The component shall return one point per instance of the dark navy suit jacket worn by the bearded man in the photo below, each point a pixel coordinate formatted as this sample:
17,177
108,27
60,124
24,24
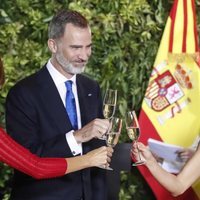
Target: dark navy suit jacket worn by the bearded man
37,119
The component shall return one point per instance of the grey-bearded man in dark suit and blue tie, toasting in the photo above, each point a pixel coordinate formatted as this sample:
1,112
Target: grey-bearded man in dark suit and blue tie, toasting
37,115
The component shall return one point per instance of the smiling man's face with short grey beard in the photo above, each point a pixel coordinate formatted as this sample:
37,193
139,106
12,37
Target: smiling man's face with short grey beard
74,49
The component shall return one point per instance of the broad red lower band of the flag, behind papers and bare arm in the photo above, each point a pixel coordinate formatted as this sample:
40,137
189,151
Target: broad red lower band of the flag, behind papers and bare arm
148,131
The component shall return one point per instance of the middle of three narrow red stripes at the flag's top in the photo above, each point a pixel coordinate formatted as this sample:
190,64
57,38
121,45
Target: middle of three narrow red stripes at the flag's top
185,12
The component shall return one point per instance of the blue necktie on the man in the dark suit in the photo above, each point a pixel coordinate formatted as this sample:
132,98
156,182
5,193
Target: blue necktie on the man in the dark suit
71,105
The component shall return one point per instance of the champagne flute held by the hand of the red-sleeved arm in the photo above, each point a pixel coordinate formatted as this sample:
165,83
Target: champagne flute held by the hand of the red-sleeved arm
112,136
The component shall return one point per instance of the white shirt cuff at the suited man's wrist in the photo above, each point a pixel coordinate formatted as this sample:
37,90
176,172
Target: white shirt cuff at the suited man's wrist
73,145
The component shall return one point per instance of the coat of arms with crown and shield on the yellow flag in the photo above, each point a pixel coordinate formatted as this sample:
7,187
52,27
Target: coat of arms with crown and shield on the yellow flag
167,89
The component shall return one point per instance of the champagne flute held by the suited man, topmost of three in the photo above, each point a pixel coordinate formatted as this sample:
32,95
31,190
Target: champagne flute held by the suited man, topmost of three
109,106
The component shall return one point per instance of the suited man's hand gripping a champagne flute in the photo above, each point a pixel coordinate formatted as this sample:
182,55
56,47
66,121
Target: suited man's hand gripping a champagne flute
95,129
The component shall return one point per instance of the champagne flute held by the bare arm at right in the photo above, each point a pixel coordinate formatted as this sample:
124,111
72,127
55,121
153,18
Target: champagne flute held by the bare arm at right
133,130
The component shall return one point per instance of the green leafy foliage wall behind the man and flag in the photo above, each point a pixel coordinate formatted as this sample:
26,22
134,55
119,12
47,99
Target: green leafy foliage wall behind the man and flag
126,36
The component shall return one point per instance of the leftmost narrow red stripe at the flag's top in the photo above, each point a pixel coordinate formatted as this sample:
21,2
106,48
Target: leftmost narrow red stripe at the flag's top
172,16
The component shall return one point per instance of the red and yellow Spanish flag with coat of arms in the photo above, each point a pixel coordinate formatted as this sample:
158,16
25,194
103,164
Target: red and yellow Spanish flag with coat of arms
171,107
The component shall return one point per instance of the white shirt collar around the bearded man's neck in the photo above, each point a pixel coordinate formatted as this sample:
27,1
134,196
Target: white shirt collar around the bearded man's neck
57,77
